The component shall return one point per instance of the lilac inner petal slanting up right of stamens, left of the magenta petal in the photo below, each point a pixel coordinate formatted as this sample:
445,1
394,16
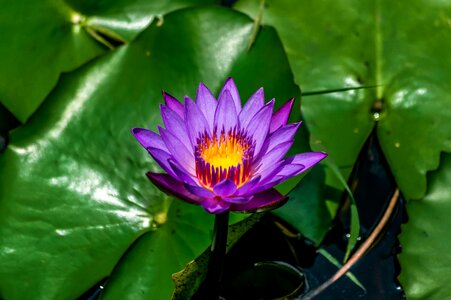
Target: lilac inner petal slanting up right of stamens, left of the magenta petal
259,125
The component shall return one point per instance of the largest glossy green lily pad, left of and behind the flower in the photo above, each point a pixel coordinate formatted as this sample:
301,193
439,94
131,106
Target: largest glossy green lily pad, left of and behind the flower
73,195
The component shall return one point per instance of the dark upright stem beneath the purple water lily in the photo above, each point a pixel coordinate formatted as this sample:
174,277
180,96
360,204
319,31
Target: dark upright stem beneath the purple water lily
217,256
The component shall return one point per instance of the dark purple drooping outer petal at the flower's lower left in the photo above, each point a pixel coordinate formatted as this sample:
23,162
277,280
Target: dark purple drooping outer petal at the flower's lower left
172,186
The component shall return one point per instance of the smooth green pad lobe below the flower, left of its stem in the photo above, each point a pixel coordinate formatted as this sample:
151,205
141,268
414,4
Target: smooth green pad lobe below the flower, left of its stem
145,272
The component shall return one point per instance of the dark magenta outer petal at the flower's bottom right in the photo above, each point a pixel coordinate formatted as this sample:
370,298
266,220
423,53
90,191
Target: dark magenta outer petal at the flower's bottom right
266,200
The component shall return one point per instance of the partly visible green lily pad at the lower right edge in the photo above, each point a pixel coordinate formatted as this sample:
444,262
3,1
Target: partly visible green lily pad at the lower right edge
425,258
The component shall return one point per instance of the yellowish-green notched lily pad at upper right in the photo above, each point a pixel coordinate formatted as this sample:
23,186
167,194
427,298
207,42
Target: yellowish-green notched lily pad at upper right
401,47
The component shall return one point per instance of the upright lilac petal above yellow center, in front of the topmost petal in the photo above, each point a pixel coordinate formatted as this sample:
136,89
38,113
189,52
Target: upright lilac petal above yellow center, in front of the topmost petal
225,115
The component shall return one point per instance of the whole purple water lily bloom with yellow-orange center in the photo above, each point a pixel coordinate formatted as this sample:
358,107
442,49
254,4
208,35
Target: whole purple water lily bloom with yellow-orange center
221,155
